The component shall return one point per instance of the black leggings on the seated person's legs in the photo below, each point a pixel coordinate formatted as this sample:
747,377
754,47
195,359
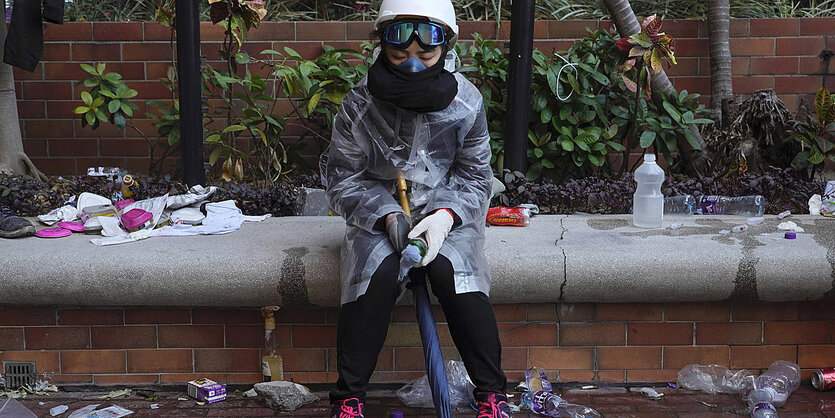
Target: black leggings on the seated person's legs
363,325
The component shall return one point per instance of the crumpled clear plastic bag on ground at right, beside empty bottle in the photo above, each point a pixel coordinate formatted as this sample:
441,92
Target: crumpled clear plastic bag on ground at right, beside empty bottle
714,378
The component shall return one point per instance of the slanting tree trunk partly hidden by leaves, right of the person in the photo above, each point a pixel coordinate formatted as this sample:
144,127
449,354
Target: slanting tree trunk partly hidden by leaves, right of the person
627,24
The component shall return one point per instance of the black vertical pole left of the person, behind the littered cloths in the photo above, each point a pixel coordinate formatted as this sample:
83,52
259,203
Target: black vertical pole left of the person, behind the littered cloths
188,79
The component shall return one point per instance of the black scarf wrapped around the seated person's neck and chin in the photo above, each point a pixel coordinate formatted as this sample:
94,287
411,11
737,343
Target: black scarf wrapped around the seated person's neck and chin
429,90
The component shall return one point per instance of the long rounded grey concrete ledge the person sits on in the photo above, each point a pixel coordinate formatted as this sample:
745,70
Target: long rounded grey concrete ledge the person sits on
295,260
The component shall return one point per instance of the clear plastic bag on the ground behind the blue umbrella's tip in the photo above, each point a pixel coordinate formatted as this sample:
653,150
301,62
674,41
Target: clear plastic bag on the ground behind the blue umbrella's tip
417,394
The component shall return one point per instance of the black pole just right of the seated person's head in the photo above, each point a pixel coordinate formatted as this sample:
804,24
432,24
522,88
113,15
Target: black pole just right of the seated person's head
519,85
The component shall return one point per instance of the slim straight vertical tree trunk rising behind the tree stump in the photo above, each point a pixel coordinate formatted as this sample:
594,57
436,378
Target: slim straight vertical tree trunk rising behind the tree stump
718,22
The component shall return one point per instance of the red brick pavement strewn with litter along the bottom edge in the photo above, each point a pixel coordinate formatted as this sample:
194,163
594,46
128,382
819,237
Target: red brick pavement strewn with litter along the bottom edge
609,402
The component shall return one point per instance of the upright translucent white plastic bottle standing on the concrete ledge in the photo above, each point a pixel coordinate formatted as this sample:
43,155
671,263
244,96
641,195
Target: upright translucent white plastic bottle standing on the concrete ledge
648,202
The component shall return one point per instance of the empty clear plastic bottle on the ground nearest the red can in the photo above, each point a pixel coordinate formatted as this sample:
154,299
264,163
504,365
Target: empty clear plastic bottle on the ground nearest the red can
772,388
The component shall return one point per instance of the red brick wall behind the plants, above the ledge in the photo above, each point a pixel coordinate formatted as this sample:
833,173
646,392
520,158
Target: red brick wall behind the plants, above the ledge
768,53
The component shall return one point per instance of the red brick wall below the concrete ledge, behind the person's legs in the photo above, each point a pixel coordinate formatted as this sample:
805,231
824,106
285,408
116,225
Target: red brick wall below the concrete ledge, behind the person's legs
575,342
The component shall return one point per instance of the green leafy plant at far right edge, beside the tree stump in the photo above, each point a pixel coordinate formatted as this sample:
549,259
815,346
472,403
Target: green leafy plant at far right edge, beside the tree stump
815,132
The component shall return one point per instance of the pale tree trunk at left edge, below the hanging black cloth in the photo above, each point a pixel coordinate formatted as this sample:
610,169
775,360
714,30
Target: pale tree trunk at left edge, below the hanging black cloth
12,157
